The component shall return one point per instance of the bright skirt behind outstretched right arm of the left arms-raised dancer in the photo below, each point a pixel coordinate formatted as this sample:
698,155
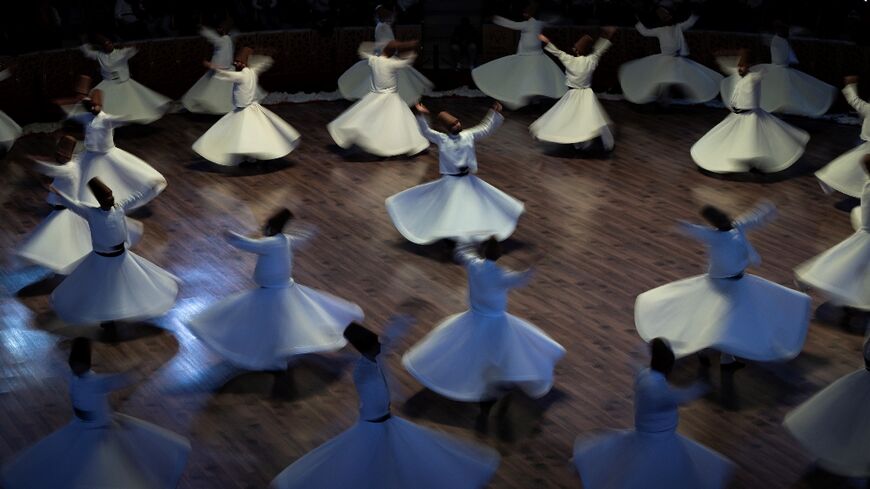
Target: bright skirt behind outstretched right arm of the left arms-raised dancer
122,172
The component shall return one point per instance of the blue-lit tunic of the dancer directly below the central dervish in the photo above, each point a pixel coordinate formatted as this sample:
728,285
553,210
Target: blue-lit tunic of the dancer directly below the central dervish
488,283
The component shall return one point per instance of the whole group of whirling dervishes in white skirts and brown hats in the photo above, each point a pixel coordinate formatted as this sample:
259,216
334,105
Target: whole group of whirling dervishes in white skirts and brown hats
477,355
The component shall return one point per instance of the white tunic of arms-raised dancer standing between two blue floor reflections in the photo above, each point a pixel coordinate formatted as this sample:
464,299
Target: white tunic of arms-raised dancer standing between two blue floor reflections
108,227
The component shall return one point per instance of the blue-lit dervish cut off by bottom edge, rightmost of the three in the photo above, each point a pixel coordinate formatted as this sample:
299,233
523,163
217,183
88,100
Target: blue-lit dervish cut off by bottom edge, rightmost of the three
653,454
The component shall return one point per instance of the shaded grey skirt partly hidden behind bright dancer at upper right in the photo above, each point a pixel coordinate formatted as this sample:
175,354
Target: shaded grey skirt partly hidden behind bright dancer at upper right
788,91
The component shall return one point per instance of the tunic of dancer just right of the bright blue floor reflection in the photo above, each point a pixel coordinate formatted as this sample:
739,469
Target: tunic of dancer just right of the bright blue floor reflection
274,256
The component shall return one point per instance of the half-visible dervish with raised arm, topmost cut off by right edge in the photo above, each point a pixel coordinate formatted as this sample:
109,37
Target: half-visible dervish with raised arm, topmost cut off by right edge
845,174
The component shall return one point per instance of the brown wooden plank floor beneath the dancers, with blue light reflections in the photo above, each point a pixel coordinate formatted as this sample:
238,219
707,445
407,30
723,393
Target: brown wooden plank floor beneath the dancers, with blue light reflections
599,231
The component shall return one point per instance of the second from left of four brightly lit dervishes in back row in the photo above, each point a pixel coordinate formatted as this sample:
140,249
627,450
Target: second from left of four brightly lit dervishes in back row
381,123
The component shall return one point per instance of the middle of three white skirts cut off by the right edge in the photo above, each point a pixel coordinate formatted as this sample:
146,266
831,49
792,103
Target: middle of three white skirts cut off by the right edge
843,272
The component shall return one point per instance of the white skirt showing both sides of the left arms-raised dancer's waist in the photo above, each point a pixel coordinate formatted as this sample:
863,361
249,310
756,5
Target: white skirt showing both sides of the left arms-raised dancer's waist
63,240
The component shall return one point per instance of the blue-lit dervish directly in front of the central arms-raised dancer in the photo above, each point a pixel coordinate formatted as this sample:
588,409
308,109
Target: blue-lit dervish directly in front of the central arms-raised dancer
479,354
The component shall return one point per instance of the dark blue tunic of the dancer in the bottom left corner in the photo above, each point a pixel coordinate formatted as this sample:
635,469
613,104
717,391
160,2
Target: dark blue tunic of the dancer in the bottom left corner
89,395
